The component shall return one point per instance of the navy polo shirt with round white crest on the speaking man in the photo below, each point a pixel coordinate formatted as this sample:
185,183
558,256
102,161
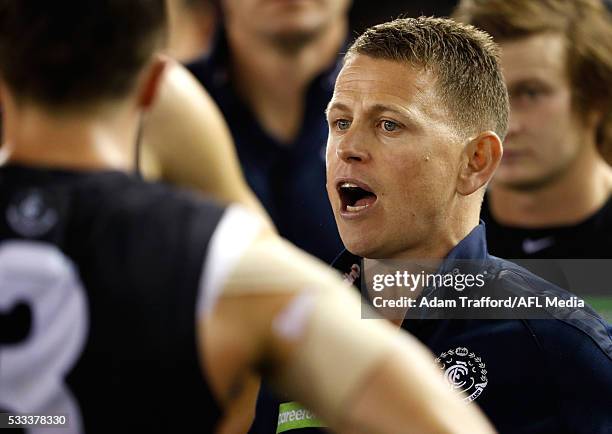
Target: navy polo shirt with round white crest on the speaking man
528,375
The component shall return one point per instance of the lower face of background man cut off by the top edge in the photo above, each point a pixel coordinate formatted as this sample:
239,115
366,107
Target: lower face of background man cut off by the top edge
284,18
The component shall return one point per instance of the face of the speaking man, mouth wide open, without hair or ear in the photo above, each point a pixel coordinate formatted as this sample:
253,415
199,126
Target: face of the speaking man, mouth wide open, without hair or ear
392,159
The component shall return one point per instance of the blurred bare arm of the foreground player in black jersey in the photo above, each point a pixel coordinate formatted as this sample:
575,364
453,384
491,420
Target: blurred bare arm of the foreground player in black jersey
298,324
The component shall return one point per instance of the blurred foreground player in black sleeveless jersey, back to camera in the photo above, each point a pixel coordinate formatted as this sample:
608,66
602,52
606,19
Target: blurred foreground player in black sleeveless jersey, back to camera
132,307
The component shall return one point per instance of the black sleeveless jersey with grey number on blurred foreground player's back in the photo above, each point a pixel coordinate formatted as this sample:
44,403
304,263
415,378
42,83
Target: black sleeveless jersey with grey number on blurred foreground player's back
138,249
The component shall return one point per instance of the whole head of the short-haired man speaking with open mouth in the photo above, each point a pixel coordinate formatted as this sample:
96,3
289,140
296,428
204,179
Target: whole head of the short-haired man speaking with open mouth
461,103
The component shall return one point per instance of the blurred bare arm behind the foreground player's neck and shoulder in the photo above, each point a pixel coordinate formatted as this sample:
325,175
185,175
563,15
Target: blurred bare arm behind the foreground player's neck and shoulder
186,142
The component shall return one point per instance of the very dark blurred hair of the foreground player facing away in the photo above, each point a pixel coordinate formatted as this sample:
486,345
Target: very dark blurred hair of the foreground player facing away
63,53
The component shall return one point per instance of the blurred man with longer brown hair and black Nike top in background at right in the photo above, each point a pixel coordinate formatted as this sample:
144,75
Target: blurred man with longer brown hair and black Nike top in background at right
550,197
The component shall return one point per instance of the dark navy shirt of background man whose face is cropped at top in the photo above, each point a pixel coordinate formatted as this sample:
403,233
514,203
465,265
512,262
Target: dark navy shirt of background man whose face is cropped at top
288,178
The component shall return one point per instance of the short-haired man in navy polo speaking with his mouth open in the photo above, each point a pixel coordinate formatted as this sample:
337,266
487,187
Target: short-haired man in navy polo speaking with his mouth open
415,128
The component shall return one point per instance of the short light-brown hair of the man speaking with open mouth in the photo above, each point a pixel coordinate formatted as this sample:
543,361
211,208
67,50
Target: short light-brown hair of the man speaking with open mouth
464,60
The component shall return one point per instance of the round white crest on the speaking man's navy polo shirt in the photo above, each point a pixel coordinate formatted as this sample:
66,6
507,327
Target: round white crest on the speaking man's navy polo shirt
464,372
